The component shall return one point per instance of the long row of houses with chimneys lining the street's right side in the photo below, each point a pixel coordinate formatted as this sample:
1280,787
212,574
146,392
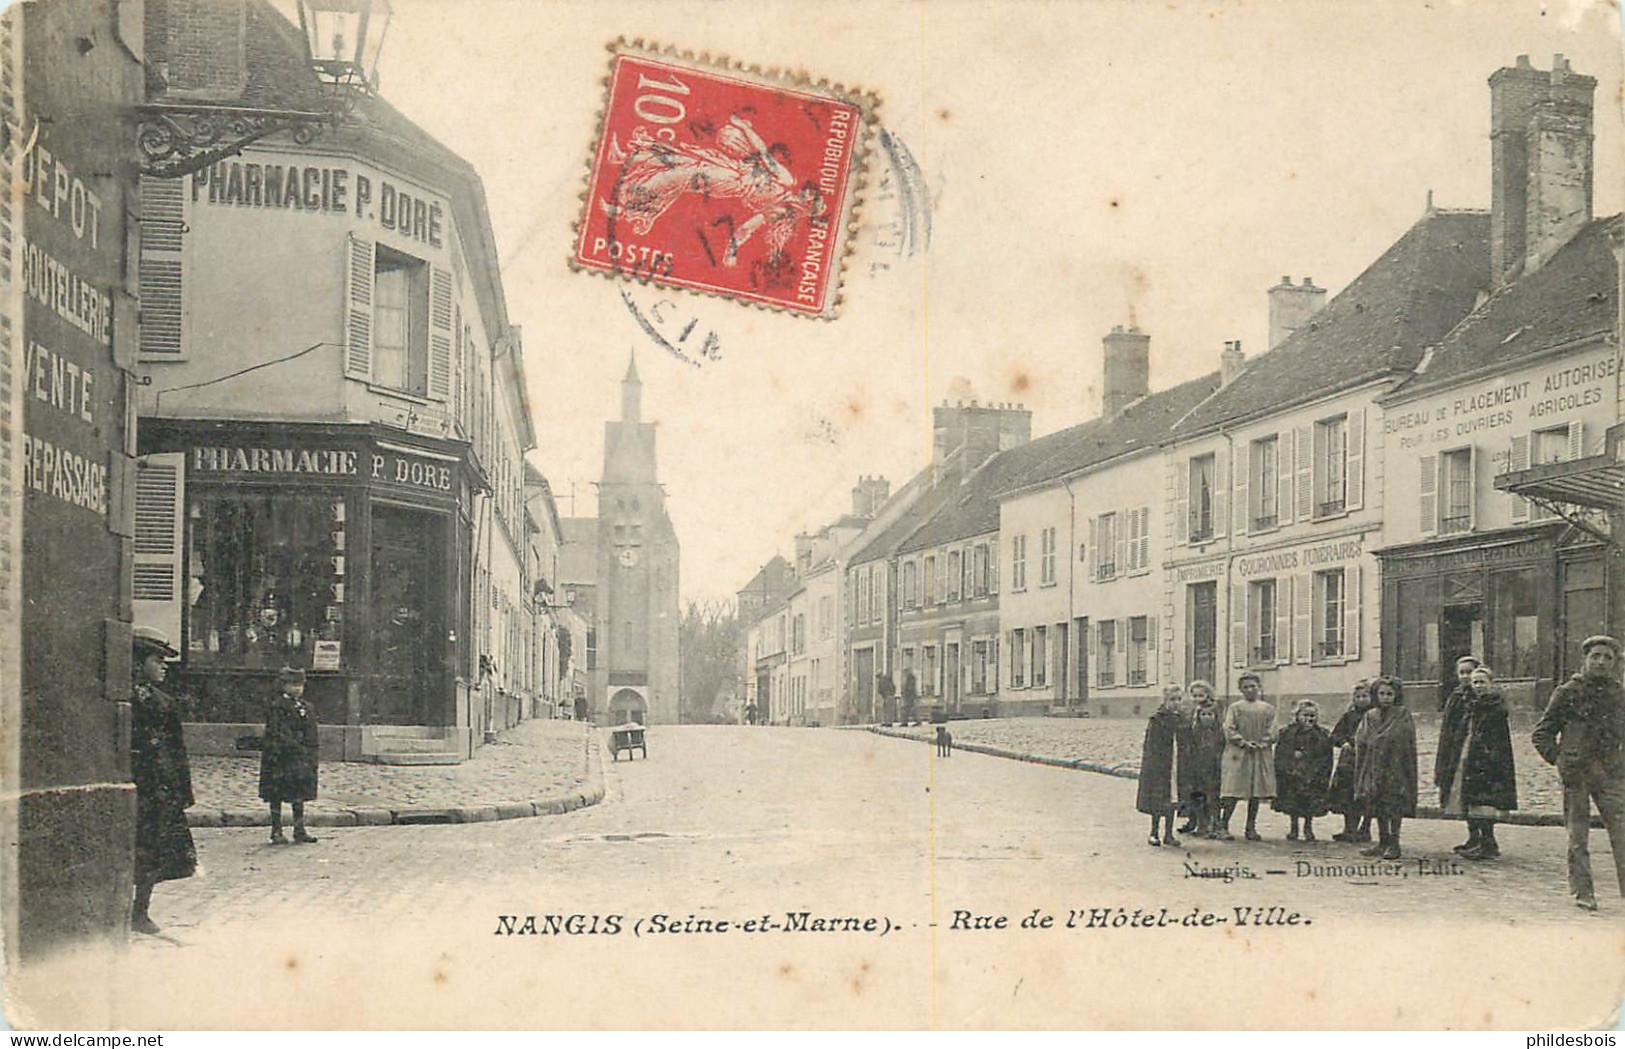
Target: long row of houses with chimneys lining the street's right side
1424,465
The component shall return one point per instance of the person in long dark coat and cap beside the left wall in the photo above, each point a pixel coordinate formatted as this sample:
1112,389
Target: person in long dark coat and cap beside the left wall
163,779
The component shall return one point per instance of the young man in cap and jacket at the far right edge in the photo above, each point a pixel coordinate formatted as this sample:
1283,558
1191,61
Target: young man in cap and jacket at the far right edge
1584,733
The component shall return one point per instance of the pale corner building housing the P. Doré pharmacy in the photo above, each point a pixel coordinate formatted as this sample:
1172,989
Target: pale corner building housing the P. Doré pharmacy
334,431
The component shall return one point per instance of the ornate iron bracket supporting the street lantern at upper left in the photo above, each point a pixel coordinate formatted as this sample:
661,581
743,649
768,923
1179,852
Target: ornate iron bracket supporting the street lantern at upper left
181,139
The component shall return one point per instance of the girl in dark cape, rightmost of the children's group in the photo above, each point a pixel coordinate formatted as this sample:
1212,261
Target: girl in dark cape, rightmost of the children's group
1478,777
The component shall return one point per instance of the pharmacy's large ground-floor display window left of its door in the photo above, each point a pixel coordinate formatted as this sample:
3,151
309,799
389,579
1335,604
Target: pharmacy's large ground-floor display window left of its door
269,579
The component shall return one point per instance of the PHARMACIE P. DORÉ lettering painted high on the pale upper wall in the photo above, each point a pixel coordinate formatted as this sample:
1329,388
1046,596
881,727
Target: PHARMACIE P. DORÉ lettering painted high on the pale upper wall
324,189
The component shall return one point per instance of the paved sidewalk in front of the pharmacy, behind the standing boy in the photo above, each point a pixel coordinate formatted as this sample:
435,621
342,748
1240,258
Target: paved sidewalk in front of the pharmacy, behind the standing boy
534,769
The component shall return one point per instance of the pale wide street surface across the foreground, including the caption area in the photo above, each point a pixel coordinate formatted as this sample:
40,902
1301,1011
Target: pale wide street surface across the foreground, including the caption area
402,926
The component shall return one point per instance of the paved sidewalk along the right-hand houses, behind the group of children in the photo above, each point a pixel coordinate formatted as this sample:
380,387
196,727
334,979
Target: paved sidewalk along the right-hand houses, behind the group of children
1112,746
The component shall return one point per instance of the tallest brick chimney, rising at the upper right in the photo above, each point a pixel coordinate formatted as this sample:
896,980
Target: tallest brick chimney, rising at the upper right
1541,166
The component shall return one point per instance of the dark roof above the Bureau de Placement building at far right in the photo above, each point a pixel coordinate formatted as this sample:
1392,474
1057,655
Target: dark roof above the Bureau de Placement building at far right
1575,295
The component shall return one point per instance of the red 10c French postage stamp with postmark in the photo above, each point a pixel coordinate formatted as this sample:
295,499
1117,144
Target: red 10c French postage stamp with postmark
724,181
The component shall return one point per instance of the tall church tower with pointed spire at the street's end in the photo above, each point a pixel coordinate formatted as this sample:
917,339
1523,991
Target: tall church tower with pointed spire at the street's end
638,613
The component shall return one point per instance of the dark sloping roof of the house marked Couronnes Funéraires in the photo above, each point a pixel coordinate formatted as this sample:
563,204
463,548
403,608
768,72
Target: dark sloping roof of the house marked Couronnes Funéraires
1379,326
